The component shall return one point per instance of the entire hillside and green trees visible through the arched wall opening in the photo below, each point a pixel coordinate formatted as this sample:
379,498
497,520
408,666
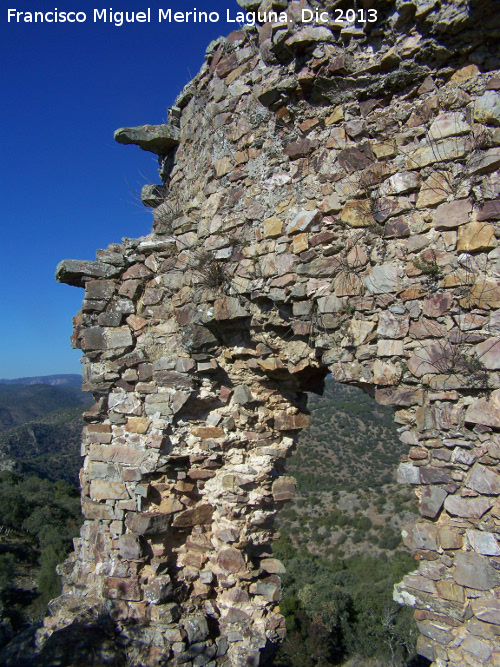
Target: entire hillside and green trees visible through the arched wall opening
340,539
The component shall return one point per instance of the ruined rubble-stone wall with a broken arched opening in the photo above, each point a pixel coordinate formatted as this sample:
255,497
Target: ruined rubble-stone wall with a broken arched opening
332,206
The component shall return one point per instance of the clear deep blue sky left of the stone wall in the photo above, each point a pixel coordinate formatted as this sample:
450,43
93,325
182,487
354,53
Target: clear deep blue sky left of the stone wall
67,187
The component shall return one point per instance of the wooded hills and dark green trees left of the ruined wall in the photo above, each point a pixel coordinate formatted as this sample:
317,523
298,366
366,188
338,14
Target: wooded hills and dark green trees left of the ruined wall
40,434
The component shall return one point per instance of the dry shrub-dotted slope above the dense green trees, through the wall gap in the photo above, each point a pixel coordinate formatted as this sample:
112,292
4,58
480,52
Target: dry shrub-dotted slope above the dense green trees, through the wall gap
347,501
